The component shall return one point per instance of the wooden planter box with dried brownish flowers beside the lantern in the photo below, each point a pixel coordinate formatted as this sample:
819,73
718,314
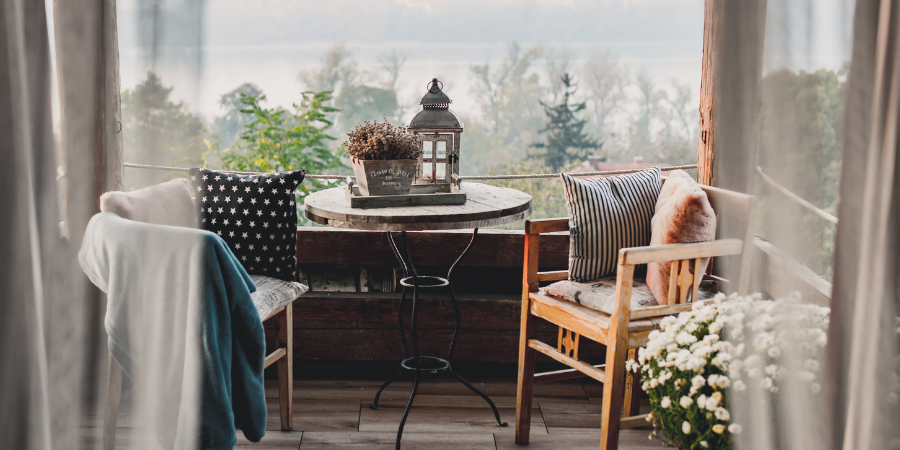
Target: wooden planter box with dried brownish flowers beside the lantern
384,158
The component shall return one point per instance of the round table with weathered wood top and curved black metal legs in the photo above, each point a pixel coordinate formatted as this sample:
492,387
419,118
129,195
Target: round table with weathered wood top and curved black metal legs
485,206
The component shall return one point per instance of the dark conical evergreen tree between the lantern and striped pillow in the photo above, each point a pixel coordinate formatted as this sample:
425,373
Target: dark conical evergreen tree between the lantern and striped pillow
567,141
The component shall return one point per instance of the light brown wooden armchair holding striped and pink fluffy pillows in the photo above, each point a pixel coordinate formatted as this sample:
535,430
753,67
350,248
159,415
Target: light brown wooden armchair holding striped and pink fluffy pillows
623,331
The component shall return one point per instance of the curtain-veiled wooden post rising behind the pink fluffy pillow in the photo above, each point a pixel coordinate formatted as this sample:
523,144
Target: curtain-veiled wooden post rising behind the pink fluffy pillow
733,35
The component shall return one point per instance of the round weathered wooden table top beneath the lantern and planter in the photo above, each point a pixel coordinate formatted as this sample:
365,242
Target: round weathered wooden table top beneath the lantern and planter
485,206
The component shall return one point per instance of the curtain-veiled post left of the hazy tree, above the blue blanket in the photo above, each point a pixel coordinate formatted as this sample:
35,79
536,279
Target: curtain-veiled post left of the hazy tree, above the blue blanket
88,72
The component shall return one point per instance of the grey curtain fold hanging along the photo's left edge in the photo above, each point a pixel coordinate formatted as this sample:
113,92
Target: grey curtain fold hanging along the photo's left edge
29,240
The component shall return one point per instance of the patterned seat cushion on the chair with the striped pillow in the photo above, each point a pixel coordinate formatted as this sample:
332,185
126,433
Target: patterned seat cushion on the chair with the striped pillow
600,295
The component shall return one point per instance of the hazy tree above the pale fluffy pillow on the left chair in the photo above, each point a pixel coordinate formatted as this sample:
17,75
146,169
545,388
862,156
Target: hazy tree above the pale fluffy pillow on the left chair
157,130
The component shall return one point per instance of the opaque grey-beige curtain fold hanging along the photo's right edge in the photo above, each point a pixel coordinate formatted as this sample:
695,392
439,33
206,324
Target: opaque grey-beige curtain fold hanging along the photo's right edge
864,334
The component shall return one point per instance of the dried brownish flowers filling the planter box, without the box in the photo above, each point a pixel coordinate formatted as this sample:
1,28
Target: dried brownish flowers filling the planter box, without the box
371,141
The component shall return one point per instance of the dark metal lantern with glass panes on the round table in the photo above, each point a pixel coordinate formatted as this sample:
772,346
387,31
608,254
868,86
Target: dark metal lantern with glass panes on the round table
437,129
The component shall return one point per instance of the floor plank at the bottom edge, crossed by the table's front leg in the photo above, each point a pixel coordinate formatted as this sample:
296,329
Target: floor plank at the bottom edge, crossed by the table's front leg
386,441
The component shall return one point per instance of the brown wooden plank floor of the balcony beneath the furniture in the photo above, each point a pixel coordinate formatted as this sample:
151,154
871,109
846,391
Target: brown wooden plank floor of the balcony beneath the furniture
334,413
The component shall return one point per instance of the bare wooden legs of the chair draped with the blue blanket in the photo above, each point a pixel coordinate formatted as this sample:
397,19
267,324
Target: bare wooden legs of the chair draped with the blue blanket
283,355
